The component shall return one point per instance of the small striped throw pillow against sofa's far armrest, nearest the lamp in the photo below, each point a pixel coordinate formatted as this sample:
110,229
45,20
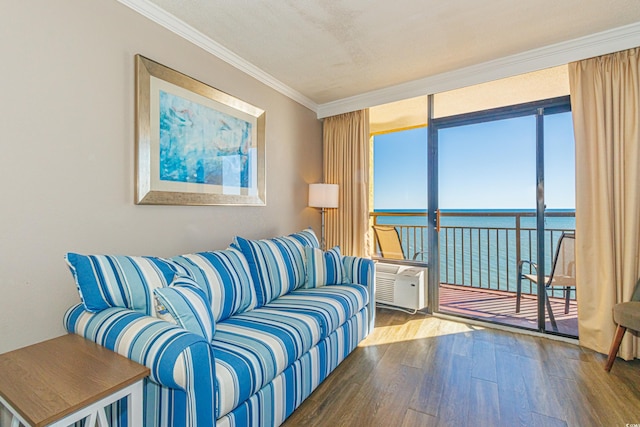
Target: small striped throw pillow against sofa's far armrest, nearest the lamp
324,268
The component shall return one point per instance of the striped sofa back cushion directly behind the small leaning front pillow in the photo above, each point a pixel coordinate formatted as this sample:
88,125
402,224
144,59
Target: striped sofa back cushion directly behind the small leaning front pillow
225,278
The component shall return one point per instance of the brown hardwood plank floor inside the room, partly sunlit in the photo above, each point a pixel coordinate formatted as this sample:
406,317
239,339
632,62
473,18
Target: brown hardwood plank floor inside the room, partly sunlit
424,371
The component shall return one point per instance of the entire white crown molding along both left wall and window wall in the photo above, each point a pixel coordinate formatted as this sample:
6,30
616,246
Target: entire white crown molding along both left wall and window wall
549,56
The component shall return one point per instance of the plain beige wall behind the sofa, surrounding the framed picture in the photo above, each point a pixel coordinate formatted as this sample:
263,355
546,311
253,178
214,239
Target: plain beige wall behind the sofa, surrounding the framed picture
67,165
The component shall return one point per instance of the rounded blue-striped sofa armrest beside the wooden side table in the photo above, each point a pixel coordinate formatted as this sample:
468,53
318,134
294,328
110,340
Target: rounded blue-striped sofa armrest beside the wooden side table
177,358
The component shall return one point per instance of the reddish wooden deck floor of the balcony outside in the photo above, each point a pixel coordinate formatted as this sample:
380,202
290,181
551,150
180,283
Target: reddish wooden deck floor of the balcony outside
500,307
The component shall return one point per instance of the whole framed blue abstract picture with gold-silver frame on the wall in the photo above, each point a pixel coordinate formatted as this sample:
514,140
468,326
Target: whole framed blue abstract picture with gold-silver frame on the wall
195,145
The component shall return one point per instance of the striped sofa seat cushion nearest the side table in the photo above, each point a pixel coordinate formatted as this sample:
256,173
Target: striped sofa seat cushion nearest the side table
254,347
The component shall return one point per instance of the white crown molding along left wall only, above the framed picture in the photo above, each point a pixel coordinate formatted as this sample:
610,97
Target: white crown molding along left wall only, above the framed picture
182,29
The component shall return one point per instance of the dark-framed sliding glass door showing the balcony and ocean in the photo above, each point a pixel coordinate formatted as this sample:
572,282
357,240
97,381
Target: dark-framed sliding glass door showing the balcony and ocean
487,202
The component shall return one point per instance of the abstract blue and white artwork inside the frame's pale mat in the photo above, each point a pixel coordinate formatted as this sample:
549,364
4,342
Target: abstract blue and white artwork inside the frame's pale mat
201,145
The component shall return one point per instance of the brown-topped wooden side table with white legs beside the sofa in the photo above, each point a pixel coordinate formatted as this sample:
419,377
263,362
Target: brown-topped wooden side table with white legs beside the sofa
67,379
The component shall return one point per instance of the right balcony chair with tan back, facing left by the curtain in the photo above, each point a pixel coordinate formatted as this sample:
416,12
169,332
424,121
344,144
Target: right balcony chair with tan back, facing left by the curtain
563,275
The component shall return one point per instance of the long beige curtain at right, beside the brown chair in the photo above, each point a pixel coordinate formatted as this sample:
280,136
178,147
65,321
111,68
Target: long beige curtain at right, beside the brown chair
605,99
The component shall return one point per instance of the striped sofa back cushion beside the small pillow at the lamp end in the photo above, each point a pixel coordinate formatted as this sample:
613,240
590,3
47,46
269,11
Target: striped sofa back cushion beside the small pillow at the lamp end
277,265
